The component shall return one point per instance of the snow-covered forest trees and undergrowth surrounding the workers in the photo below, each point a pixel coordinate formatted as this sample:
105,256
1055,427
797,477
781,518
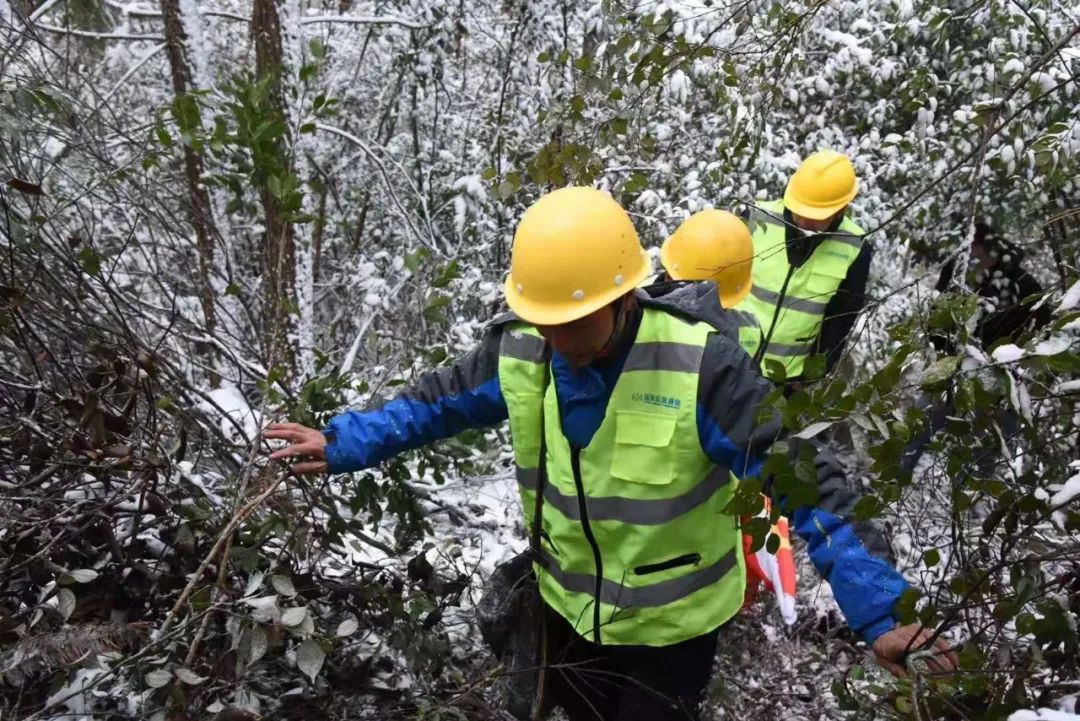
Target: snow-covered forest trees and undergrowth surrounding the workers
218,214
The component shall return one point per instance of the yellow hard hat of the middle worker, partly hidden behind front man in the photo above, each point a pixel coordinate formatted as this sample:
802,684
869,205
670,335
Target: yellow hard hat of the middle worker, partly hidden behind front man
712,246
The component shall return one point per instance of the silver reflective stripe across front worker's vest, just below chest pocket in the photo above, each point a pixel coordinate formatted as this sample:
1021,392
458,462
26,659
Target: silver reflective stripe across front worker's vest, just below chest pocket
639,512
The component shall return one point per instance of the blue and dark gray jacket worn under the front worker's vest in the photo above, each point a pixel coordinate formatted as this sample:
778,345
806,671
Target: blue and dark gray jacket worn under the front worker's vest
854,557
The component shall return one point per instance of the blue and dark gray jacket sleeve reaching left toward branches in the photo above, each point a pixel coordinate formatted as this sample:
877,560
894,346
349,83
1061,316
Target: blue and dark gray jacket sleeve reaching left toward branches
442,404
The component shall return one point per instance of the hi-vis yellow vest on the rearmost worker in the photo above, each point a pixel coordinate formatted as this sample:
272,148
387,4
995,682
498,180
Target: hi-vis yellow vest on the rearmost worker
809,290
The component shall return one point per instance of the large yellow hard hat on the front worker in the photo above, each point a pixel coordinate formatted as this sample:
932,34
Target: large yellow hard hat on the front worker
575,252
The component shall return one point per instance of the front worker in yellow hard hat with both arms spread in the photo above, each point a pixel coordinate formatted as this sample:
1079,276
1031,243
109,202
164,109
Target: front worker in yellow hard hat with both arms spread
630,419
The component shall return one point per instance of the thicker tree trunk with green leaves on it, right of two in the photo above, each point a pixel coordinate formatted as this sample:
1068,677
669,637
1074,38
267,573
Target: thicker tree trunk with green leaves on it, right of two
280,257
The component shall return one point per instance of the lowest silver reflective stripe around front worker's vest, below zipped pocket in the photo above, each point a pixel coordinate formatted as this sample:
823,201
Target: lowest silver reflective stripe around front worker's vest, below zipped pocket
655,595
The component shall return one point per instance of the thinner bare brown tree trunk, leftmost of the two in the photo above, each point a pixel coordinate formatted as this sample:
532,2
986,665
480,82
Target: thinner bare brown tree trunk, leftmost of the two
199,210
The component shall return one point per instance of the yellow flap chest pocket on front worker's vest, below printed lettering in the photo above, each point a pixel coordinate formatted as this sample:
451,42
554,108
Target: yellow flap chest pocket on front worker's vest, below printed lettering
643,453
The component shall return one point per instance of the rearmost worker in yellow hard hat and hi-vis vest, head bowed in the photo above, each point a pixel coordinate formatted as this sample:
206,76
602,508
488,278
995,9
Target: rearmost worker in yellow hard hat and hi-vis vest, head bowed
812,266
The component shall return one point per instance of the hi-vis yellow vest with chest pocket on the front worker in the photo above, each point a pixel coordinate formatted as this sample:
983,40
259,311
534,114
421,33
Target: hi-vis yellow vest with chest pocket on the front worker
634,547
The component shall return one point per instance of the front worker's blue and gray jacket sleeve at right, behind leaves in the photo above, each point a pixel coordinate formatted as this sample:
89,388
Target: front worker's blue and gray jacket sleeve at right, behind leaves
853,556
